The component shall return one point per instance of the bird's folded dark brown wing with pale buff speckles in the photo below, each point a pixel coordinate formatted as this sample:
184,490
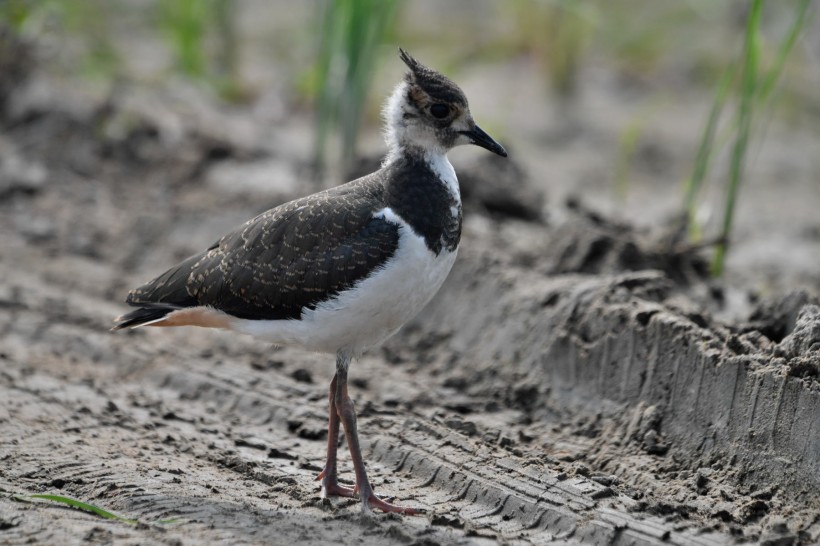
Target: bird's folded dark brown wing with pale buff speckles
285,260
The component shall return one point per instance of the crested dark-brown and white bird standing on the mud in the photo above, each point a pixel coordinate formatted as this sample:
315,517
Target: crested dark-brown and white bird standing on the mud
341,270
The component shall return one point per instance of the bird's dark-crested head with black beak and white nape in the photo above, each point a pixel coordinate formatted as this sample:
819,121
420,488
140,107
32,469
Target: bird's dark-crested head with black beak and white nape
428,111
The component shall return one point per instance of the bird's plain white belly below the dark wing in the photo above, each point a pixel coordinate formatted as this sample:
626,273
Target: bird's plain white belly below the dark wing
373,310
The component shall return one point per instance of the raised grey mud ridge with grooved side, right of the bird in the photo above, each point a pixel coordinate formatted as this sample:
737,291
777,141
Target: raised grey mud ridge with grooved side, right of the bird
652,372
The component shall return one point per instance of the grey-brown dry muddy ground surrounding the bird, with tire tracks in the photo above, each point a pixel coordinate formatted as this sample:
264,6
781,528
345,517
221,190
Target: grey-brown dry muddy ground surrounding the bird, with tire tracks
566,387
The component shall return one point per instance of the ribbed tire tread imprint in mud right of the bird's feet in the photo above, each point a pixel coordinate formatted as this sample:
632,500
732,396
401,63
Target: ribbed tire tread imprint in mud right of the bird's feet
491,491
